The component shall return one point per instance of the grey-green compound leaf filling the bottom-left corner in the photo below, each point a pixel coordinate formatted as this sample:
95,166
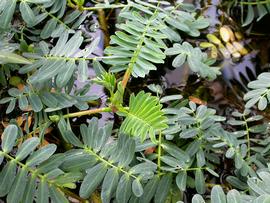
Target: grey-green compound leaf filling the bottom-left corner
28,174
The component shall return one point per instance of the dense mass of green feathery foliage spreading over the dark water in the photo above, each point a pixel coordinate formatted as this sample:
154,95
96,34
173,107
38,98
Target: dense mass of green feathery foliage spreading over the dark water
159,148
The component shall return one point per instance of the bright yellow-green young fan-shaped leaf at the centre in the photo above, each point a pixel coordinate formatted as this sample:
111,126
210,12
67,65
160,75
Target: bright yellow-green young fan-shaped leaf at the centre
144,116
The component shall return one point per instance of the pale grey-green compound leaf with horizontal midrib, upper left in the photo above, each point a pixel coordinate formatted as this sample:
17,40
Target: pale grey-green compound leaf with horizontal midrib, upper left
61,62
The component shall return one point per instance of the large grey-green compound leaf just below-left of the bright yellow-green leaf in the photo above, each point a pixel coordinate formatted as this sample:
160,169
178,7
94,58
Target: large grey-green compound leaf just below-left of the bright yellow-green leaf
107,163
